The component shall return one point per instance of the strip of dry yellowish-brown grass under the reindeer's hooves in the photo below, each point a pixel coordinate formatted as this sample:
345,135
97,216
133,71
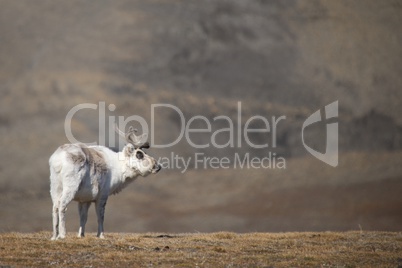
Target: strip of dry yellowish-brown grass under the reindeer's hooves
325,249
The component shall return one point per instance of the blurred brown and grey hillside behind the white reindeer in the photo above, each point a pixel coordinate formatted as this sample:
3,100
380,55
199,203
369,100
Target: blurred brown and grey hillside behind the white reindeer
276,57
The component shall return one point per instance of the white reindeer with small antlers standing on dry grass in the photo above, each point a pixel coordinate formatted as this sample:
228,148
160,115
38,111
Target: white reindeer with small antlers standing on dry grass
89,174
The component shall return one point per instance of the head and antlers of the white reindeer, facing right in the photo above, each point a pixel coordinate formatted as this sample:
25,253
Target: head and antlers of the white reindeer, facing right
138,160
